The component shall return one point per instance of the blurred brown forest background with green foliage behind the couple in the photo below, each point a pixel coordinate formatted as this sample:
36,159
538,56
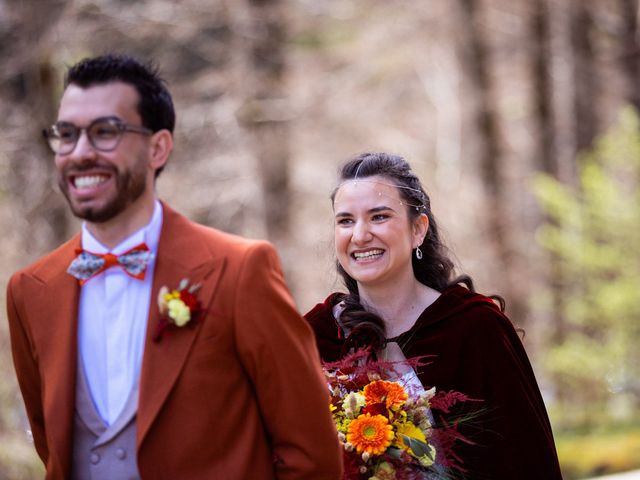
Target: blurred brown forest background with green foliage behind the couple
519,116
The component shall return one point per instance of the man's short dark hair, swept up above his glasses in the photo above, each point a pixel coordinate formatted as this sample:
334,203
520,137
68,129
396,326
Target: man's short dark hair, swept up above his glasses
155,105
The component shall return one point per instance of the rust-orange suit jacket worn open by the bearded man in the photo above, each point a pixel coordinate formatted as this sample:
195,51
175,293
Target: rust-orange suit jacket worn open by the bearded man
238,394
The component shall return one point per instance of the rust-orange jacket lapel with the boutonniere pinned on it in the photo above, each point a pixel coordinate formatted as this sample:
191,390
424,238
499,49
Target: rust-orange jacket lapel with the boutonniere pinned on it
181,254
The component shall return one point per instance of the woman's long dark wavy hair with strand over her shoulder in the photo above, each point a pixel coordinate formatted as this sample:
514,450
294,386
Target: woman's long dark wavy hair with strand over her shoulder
435,270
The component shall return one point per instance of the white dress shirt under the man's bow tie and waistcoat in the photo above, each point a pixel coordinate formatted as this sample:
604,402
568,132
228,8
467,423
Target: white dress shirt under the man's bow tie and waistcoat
113,313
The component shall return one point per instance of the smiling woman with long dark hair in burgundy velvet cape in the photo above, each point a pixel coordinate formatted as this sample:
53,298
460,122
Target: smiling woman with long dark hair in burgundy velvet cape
404,303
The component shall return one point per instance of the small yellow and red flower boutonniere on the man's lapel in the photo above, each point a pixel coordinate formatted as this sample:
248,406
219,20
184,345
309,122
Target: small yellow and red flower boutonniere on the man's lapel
178,307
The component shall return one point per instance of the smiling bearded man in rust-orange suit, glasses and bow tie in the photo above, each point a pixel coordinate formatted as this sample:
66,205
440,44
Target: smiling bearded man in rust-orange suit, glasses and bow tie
195,367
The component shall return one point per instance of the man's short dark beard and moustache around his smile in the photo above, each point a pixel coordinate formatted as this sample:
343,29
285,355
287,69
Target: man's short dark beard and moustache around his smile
130,185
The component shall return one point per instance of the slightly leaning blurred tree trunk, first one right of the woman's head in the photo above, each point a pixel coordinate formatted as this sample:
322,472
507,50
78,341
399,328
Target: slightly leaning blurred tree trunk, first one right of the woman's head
476,58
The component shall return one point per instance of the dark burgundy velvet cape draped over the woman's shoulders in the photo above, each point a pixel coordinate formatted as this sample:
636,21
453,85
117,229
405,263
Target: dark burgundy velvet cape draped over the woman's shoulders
473,349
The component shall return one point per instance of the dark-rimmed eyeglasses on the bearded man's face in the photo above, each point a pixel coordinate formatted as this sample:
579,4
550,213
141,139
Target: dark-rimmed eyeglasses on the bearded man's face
103,133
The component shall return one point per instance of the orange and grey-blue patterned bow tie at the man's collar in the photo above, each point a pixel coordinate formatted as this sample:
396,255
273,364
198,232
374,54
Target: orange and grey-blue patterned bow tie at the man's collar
87,264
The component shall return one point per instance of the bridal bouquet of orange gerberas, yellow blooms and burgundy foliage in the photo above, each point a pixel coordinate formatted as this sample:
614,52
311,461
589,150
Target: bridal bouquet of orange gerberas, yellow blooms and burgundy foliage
386,426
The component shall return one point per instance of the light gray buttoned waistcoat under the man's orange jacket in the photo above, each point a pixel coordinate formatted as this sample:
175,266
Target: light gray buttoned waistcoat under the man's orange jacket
101,452
